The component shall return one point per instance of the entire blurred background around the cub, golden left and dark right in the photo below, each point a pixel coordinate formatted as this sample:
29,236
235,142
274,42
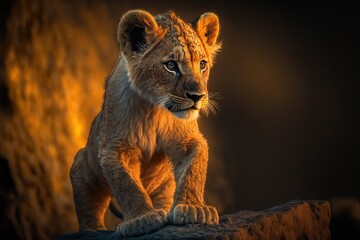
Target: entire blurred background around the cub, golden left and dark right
287,128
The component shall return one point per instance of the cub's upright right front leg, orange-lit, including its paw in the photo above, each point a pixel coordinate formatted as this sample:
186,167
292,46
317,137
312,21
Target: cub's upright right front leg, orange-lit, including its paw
190,175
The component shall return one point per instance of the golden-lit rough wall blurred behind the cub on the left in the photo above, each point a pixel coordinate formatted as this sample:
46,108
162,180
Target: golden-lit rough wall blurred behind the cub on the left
54,79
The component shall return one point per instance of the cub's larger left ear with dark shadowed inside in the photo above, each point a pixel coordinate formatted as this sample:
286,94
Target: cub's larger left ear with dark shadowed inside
137,28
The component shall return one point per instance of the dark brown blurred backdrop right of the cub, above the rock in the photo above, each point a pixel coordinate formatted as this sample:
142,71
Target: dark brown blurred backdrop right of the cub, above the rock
288,125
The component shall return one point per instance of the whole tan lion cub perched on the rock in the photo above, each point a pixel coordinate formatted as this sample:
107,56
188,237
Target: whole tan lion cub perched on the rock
144,147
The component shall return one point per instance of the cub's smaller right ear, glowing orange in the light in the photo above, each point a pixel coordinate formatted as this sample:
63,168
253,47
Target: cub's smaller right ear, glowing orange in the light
207,27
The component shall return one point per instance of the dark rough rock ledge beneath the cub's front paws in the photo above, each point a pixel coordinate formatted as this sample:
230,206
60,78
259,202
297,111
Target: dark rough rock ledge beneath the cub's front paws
296,219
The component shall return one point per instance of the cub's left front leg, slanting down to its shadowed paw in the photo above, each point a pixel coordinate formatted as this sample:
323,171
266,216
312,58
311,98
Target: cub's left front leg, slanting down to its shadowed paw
122,173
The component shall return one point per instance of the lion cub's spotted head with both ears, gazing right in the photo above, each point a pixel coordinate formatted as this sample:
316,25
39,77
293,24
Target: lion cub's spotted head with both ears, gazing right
169,60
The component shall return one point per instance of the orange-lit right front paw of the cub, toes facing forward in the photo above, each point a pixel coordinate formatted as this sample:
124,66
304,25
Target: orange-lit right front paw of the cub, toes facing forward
186,213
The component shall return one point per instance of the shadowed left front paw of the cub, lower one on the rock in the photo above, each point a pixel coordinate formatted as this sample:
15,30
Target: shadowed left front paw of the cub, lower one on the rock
144,224
